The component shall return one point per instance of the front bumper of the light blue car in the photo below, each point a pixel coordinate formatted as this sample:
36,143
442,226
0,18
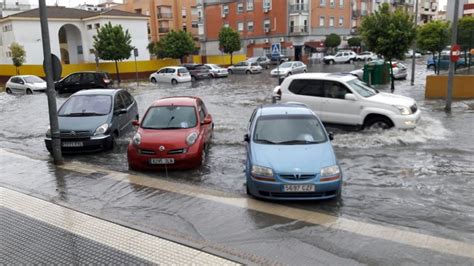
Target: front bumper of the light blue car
274,190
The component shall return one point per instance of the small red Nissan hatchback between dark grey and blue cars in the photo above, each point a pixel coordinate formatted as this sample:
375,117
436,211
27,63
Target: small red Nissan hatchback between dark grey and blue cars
174,133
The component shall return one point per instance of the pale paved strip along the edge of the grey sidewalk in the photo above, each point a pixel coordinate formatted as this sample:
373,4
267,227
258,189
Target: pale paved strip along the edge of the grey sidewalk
138,244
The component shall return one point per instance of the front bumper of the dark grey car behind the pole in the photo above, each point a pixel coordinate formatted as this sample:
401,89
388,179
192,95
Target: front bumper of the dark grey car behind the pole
92,144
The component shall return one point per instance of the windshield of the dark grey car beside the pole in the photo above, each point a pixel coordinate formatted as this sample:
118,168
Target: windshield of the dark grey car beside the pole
86,105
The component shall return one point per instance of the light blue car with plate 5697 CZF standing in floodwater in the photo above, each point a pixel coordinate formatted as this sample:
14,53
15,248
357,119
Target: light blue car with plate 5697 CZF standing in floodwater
290,156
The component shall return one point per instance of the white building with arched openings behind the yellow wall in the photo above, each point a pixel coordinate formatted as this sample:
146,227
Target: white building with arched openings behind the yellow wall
71,33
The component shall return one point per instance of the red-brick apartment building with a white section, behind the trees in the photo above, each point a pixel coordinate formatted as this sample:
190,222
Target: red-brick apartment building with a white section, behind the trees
298,25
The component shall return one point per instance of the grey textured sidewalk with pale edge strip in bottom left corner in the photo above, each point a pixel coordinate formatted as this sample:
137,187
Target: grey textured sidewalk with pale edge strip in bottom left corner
34,231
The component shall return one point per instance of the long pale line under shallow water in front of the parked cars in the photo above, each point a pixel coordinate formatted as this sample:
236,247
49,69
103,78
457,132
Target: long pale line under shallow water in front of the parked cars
401,236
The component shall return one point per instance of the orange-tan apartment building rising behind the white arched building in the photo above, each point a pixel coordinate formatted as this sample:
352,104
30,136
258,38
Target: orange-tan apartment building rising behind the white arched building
166,15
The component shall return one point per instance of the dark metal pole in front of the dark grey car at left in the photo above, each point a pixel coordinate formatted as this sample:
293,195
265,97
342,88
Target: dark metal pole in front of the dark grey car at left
50,91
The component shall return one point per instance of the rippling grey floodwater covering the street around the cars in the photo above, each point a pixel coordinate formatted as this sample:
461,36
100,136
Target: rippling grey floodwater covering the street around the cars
420,179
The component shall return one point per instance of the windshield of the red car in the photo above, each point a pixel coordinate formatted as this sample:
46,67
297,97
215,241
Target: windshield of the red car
170,117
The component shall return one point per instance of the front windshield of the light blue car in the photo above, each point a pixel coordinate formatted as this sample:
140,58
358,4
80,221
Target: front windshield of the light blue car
289,130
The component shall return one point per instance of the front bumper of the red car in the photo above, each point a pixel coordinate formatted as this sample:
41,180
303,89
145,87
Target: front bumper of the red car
189,160
